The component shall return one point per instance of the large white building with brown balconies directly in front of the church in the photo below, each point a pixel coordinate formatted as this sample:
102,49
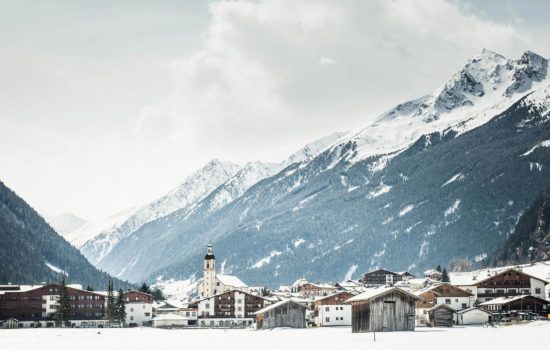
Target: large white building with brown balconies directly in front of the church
229,309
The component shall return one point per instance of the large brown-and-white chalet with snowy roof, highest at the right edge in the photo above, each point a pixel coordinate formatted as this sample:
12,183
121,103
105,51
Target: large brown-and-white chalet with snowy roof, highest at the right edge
507,283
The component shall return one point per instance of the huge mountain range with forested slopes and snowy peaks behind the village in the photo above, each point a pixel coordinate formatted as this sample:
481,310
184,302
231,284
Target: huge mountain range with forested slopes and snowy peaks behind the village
443,176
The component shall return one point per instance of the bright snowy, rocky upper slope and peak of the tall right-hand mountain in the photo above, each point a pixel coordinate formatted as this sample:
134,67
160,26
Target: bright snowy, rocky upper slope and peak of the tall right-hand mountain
487,85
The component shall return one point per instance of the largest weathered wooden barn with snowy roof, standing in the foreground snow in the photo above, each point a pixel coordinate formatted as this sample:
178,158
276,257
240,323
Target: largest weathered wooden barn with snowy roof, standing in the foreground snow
383,310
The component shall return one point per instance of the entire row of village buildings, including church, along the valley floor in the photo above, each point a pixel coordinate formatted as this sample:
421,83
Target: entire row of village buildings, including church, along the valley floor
380,301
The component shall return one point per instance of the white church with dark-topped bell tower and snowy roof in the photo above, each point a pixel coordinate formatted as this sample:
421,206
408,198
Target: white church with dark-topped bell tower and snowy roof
212,283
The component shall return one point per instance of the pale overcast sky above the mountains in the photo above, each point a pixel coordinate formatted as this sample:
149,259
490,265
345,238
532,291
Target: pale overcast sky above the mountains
105,105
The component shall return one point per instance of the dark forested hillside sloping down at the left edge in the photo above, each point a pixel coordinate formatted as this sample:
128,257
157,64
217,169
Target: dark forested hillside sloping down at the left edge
32,252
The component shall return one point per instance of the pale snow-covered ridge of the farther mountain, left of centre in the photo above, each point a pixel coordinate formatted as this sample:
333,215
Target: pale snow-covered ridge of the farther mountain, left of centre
185,196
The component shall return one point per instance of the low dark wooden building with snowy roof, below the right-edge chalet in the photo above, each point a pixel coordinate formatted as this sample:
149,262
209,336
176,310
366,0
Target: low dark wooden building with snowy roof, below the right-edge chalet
516,306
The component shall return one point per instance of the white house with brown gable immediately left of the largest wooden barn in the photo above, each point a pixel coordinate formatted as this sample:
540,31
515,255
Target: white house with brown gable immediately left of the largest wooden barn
332,311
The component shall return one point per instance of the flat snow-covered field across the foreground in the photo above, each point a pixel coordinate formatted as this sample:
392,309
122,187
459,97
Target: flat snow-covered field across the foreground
510,337
